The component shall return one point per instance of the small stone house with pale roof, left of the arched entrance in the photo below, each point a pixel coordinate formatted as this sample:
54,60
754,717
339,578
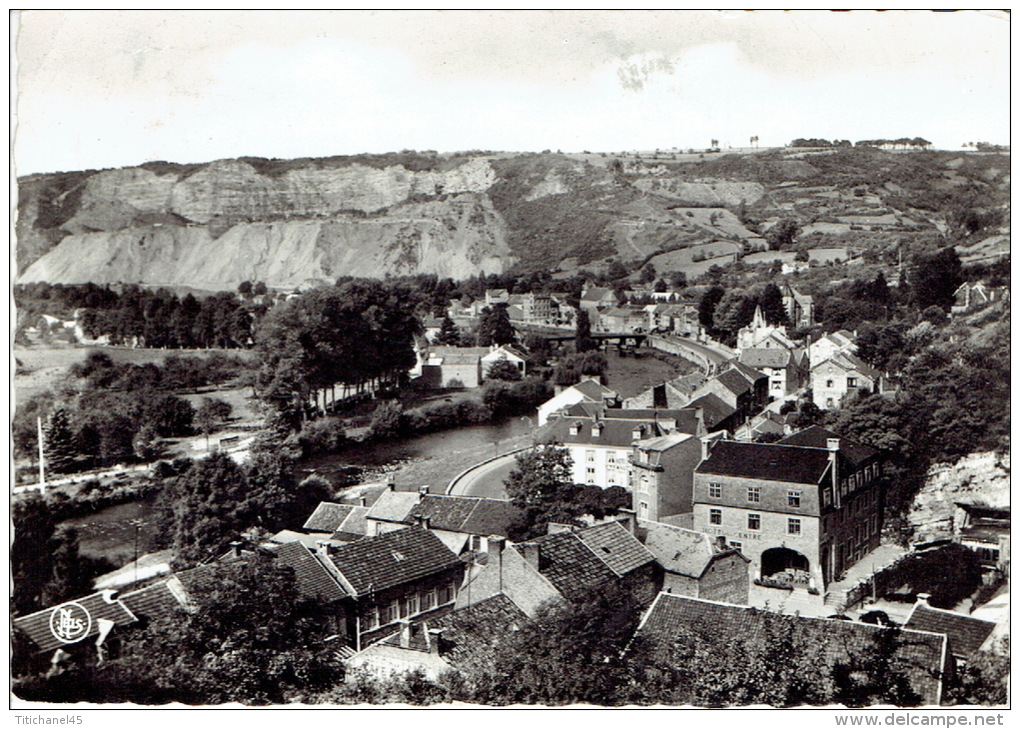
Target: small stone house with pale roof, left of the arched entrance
696,564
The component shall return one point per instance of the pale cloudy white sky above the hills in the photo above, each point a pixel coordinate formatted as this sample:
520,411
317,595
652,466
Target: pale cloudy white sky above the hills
110,89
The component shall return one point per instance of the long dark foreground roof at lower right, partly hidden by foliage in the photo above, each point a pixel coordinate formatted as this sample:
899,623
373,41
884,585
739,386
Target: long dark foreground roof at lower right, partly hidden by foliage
923,657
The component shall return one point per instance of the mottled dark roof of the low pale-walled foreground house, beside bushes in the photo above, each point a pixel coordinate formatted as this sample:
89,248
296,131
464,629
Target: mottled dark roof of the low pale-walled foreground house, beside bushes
473,637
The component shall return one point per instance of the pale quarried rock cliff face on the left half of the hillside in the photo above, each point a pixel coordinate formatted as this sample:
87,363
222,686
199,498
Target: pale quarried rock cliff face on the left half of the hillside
228,222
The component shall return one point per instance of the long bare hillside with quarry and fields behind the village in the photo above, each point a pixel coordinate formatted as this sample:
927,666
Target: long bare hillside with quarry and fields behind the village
283,222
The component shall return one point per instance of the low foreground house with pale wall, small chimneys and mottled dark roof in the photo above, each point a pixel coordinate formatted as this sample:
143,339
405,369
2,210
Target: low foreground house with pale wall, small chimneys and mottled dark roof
466,640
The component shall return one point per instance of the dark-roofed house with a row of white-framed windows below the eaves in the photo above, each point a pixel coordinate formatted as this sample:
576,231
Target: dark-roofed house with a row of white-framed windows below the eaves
406,575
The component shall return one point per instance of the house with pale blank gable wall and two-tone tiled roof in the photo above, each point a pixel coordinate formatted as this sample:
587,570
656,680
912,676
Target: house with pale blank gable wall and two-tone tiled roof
567,565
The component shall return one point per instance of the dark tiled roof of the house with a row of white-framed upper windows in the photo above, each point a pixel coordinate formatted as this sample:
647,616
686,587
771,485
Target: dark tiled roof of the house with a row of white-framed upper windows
375,563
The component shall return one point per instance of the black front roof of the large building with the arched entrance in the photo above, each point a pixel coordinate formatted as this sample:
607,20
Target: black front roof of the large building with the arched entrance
771,462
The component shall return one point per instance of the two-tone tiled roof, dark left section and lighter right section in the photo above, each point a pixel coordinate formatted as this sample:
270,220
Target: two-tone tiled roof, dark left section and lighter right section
575,562
